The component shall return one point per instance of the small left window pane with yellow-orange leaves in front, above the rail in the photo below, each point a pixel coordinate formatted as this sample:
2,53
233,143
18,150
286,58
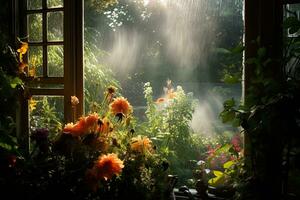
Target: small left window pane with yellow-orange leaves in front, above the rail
35,61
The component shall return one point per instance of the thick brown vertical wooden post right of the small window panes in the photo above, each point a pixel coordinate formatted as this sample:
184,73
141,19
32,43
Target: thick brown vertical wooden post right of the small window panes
73,50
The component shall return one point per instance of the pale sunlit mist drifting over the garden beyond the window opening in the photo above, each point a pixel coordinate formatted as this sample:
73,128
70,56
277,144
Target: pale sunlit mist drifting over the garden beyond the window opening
169,39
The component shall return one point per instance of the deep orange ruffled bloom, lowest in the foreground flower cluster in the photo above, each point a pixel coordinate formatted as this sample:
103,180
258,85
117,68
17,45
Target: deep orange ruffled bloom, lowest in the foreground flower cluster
108,165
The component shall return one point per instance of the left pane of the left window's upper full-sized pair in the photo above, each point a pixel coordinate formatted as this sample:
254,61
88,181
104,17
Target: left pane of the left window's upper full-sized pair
35,30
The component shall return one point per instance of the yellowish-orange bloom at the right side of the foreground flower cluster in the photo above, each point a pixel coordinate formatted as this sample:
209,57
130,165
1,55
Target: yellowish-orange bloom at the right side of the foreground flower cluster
141,144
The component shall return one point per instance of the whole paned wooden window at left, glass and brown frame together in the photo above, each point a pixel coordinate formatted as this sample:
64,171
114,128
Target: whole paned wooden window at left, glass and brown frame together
53,30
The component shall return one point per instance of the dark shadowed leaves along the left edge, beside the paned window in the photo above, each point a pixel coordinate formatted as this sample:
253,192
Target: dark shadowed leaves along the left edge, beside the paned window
10,84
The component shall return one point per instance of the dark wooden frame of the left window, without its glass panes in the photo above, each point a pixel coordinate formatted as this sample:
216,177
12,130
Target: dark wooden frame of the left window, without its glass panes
72,80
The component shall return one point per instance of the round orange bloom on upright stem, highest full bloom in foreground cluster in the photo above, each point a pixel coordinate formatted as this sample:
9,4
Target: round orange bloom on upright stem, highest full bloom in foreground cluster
120,105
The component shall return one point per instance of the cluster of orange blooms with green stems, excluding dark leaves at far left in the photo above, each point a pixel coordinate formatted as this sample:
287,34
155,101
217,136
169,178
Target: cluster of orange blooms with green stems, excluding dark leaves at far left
113,154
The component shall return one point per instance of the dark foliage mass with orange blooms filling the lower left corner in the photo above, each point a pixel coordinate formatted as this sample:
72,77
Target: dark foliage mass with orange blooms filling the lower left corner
100,156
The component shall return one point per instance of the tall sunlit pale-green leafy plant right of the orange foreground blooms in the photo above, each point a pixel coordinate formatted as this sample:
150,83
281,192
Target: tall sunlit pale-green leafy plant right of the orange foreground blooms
168,125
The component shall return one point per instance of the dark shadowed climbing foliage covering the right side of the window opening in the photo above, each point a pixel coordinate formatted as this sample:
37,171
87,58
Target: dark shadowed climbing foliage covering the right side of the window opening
270,117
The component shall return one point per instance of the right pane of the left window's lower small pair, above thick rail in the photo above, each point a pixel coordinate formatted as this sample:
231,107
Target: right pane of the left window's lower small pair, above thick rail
56,61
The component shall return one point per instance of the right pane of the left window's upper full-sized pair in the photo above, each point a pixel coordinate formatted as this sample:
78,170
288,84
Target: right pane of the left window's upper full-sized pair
55,26
